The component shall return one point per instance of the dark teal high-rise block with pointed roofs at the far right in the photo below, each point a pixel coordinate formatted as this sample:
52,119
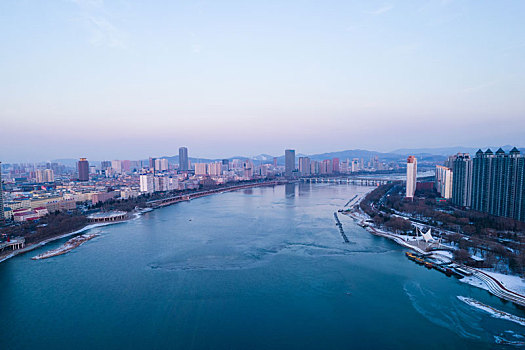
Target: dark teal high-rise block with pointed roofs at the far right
498,183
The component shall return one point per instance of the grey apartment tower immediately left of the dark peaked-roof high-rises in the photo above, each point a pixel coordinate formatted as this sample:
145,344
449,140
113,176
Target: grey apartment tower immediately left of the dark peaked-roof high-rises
462,180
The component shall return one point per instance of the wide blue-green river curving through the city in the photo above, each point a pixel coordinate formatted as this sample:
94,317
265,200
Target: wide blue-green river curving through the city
261,268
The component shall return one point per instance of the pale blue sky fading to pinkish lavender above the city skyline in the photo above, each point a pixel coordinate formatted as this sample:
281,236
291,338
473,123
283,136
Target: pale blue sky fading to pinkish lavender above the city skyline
129,79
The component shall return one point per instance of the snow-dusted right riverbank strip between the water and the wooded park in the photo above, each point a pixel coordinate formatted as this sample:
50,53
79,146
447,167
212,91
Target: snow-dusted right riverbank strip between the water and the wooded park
488,281
